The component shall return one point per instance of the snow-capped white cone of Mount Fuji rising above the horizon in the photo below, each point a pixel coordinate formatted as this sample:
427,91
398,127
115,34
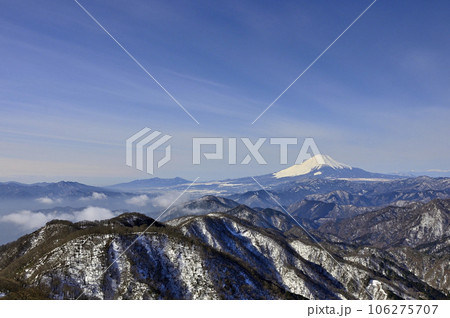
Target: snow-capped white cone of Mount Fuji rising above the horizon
323,166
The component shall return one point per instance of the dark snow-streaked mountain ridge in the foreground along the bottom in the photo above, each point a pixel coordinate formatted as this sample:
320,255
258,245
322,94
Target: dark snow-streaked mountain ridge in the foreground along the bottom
237,254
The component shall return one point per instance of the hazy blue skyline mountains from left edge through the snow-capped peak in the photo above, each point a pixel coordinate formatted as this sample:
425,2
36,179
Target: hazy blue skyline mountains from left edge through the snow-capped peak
318,167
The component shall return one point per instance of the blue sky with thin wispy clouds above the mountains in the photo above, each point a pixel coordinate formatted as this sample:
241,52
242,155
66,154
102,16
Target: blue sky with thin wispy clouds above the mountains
69,96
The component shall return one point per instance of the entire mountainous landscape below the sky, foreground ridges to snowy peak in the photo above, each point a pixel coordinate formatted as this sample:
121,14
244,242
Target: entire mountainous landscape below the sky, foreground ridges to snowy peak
369,235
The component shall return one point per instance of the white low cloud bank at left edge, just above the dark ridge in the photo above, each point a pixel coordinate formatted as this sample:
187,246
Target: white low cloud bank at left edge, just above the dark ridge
29,220
